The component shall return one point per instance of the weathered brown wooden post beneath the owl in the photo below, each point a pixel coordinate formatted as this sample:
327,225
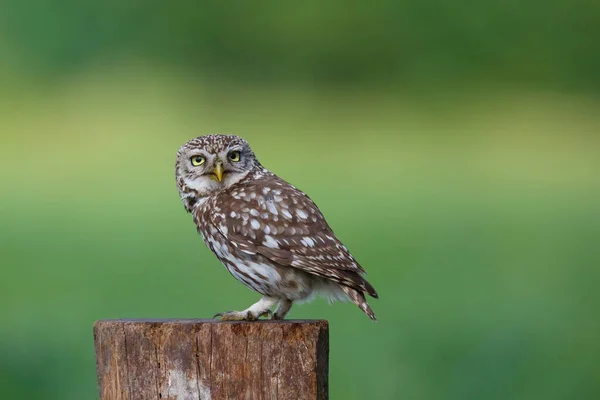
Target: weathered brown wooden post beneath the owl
211,360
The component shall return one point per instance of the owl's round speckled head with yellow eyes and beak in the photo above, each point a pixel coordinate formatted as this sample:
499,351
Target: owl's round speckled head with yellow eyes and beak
211,163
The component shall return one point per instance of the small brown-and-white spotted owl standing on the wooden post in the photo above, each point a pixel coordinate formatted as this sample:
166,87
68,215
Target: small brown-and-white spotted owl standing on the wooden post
267,233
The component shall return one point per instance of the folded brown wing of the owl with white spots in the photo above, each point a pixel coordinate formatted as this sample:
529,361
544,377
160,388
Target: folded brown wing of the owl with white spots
270,217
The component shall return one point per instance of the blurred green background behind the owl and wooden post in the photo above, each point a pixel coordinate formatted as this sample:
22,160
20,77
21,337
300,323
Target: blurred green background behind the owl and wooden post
453,146
